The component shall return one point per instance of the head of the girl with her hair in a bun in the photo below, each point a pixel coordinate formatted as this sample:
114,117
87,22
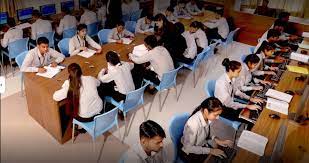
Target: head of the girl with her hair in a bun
233,68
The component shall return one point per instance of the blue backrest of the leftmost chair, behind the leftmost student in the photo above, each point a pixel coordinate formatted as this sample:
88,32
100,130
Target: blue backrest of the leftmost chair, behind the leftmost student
17,47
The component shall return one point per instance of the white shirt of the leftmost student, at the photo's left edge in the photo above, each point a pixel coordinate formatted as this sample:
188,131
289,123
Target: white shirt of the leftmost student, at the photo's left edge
11,35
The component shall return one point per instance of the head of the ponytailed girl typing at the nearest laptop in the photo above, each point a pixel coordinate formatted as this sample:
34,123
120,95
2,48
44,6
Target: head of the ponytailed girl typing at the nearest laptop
211,108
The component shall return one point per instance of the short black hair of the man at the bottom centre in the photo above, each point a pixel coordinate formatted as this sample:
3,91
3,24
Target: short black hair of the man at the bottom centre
150,129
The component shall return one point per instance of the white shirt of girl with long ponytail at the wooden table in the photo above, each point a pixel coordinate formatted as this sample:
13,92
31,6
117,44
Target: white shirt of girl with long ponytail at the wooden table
90,103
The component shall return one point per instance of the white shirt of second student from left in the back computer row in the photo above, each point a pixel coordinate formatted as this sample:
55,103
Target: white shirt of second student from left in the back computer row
40,26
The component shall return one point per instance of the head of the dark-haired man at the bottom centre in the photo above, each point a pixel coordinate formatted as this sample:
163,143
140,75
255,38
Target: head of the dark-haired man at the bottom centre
151,136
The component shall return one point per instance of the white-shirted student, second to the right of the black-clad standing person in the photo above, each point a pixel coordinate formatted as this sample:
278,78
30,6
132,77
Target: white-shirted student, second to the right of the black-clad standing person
196,28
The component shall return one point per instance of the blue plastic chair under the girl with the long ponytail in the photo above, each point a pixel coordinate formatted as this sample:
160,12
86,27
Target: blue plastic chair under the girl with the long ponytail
101,124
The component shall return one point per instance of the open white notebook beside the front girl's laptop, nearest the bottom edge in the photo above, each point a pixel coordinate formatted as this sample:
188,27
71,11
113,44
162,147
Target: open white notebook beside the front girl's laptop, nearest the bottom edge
252,142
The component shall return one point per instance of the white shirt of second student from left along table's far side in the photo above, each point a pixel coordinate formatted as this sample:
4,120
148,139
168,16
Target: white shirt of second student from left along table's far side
76,42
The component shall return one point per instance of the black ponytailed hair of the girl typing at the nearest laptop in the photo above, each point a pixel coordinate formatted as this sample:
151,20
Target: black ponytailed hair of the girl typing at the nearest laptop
212,104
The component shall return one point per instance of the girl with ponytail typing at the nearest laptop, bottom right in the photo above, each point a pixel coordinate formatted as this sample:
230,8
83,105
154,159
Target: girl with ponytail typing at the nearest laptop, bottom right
198,140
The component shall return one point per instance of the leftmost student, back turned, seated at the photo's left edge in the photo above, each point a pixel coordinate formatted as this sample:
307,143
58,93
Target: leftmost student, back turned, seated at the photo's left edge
12,34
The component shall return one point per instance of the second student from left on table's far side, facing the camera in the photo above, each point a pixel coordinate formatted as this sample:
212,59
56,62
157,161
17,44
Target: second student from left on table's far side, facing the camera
81,41
